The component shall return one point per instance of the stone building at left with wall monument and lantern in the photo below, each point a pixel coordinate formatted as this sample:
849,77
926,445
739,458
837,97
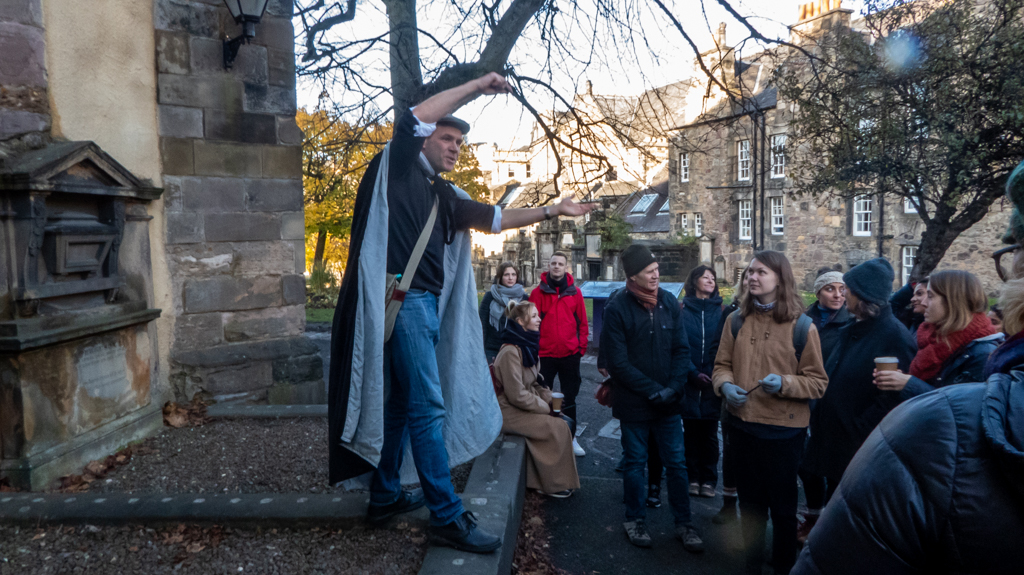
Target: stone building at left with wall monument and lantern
151,215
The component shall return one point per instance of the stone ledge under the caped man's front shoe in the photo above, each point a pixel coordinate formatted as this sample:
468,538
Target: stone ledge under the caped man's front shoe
495,493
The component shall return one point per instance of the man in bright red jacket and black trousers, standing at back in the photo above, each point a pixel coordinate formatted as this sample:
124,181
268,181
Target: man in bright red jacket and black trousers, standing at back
564,332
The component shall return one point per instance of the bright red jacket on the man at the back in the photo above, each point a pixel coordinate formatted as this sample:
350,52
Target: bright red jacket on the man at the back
564,319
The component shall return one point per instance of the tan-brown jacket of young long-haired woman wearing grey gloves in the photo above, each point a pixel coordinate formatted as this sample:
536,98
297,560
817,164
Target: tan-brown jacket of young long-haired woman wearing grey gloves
763,347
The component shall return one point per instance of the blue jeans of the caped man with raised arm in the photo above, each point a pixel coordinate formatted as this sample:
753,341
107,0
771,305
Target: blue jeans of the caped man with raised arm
415,412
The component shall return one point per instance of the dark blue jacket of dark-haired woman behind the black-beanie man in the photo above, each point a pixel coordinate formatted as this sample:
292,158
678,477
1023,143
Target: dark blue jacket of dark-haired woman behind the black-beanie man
703,320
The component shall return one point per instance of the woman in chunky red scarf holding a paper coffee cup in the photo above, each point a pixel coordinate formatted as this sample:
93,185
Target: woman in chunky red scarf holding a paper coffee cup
955,341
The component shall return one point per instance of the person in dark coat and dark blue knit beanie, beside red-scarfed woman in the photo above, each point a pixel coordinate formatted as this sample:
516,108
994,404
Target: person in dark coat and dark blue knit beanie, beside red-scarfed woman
854,406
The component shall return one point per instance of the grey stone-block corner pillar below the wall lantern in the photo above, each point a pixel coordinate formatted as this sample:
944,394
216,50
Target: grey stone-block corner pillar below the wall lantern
233,174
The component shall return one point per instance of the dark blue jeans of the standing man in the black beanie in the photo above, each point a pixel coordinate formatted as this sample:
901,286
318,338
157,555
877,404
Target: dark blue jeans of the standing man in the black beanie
669,434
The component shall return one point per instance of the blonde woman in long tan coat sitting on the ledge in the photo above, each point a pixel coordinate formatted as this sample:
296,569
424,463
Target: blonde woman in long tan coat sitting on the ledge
527,407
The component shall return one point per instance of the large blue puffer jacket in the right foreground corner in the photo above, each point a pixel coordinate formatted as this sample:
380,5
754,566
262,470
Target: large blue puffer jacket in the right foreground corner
938,488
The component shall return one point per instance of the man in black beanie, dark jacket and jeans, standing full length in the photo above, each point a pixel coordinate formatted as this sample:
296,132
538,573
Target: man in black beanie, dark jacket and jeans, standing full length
645,343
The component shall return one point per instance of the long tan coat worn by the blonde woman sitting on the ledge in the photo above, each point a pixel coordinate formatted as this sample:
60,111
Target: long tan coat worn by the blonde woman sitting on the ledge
551,465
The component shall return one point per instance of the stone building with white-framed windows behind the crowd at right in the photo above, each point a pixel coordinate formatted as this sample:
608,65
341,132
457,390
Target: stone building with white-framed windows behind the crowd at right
730,185
